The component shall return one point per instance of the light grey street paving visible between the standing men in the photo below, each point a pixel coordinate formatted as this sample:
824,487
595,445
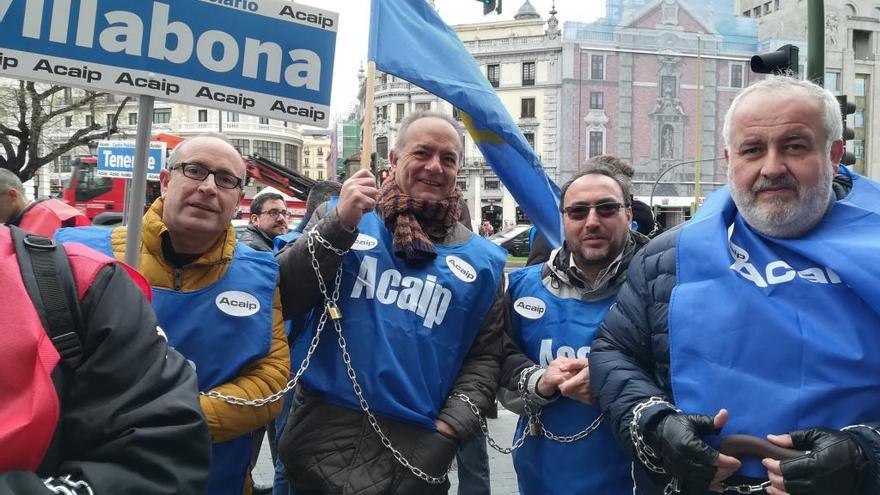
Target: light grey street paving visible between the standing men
500,465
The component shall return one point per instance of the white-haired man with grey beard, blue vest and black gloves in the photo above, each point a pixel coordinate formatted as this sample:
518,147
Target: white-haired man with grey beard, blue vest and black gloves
756,318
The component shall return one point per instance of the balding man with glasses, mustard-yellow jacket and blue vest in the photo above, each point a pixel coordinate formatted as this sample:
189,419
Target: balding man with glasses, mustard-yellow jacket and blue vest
215,298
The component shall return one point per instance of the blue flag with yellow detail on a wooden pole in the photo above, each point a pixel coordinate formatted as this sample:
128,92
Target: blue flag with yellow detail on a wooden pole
409,40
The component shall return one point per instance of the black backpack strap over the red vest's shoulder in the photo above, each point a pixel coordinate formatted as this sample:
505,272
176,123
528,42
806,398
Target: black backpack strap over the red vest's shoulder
49,280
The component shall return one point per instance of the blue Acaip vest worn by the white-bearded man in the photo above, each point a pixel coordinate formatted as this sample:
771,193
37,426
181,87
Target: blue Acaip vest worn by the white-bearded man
784,333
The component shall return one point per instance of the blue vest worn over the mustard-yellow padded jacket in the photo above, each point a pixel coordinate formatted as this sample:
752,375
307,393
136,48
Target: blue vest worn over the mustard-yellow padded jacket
220,329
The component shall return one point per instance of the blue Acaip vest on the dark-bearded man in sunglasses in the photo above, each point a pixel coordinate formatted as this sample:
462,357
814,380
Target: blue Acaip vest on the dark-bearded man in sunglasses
546,327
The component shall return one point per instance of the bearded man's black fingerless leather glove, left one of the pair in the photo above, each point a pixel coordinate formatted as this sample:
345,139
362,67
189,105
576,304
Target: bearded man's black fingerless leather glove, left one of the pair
677,441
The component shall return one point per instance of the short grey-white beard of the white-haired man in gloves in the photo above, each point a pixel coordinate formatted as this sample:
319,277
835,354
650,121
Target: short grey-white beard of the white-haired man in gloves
794,218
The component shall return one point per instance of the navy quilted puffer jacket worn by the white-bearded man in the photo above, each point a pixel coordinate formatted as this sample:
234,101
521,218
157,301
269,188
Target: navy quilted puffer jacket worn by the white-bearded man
629,358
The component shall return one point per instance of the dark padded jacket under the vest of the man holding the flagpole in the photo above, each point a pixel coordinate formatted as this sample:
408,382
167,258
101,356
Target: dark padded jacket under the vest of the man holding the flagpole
334,449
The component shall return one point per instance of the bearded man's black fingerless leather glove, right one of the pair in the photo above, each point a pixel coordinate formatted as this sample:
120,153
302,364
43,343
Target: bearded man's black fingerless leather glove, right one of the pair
834,464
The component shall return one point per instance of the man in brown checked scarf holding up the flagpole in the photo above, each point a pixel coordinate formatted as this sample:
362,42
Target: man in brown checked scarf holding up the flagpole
417,298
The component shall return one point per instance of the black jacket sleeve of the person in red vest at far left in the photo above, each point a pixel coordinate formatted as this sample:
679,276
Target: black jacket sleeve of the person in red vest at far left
130,421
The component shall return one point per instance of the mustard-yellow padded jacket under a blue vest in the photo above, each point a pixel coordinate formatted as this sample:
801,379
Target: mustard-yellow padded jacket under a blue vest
261,378
